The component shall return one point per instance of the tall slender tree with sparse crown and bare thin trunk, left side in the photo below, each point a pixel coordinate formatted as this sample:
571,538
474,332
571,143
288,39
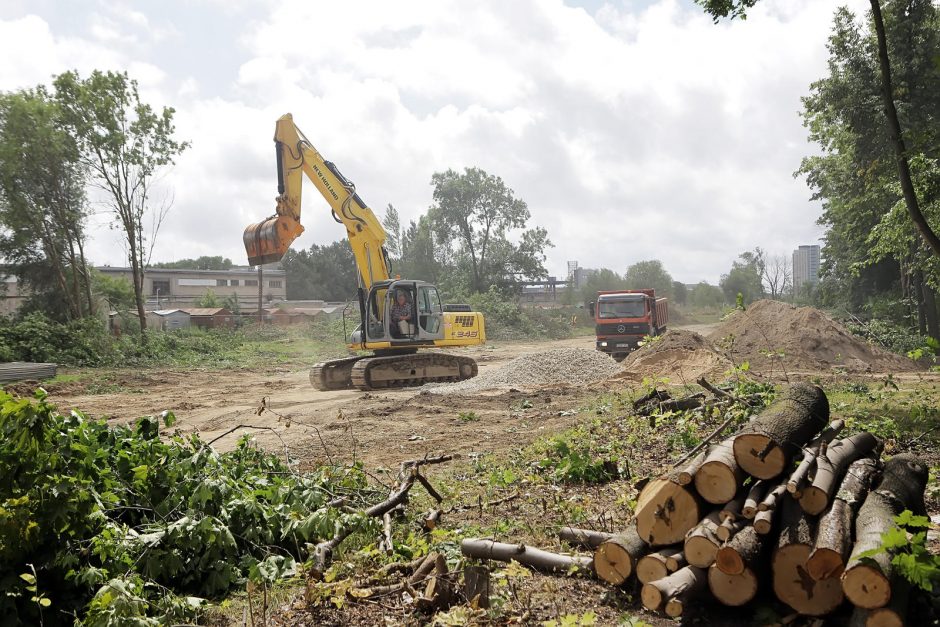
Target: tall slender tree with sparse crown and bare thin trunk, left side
124,143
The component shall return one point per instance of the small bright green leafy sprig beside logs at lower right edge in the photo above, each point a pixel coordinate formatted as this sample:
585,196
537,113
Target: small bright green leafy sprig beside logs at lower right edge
907,545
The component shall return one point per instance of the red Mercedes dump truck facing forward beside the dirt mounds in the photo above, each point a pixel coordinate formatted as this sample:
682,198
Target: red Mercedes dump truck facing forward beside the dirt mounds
624,317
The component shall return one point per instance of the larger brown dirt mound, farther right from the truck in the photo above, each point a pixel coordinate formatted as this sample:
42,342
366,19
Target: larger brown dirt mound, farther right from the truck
775,338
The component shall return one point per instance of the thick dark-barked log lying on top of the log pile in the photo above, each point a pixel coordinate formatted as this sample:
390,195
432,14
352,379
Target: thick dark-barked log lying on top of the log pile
765,446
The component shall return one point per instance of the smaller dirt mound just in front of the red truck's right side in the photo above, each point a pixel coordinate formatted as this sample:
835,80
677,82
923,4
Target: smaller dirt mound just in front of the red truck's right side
681,356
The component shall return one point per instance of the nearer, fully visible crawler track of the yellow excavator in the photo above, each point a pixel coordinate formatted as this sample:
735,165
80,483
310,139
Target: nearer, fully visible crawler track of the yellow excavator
395,371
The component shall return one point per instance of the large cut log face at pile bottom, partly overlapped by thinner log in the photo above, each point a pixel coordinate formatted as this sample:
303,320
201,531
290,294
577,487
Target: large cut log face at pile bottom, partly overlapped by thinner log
794,586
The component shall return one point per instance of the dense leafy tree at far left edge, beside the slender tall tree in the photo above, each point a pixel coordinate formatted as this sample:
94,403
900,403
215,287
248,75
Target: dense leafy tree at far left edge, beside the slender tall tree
43,205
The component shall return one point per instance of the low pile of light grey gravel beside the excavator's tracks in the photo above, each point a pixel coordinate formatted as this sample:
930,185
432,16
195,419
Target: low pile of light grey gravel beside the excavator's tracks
574,366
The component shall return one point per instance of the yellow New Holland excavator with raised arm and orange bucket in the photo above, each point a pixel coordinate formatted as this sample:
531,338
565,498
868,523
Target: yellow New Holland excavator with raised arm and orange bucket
394,360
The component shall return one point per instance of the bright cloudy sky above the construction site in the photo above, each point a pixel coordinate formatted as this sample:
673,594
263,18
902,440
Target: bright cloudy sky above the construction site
634,129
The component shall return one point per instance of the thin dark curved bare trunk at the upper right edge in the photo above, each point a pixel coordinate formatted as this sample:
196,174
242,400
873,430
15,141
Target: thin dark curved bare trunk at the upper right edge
896,136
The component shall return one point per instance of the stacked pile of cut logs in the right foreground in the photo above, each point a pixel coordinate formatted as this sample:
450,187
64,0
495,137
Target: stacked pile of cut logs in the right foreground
782,504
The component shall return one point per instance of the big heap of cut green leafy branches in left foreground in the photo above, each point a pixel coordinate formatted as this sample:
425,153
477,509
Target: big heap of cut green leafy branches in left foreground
114,523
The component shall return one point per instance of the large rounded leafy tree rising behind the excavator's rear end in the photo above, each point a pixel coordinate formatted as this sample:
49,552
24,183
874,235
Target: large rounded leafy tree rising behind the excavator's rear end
472,217
